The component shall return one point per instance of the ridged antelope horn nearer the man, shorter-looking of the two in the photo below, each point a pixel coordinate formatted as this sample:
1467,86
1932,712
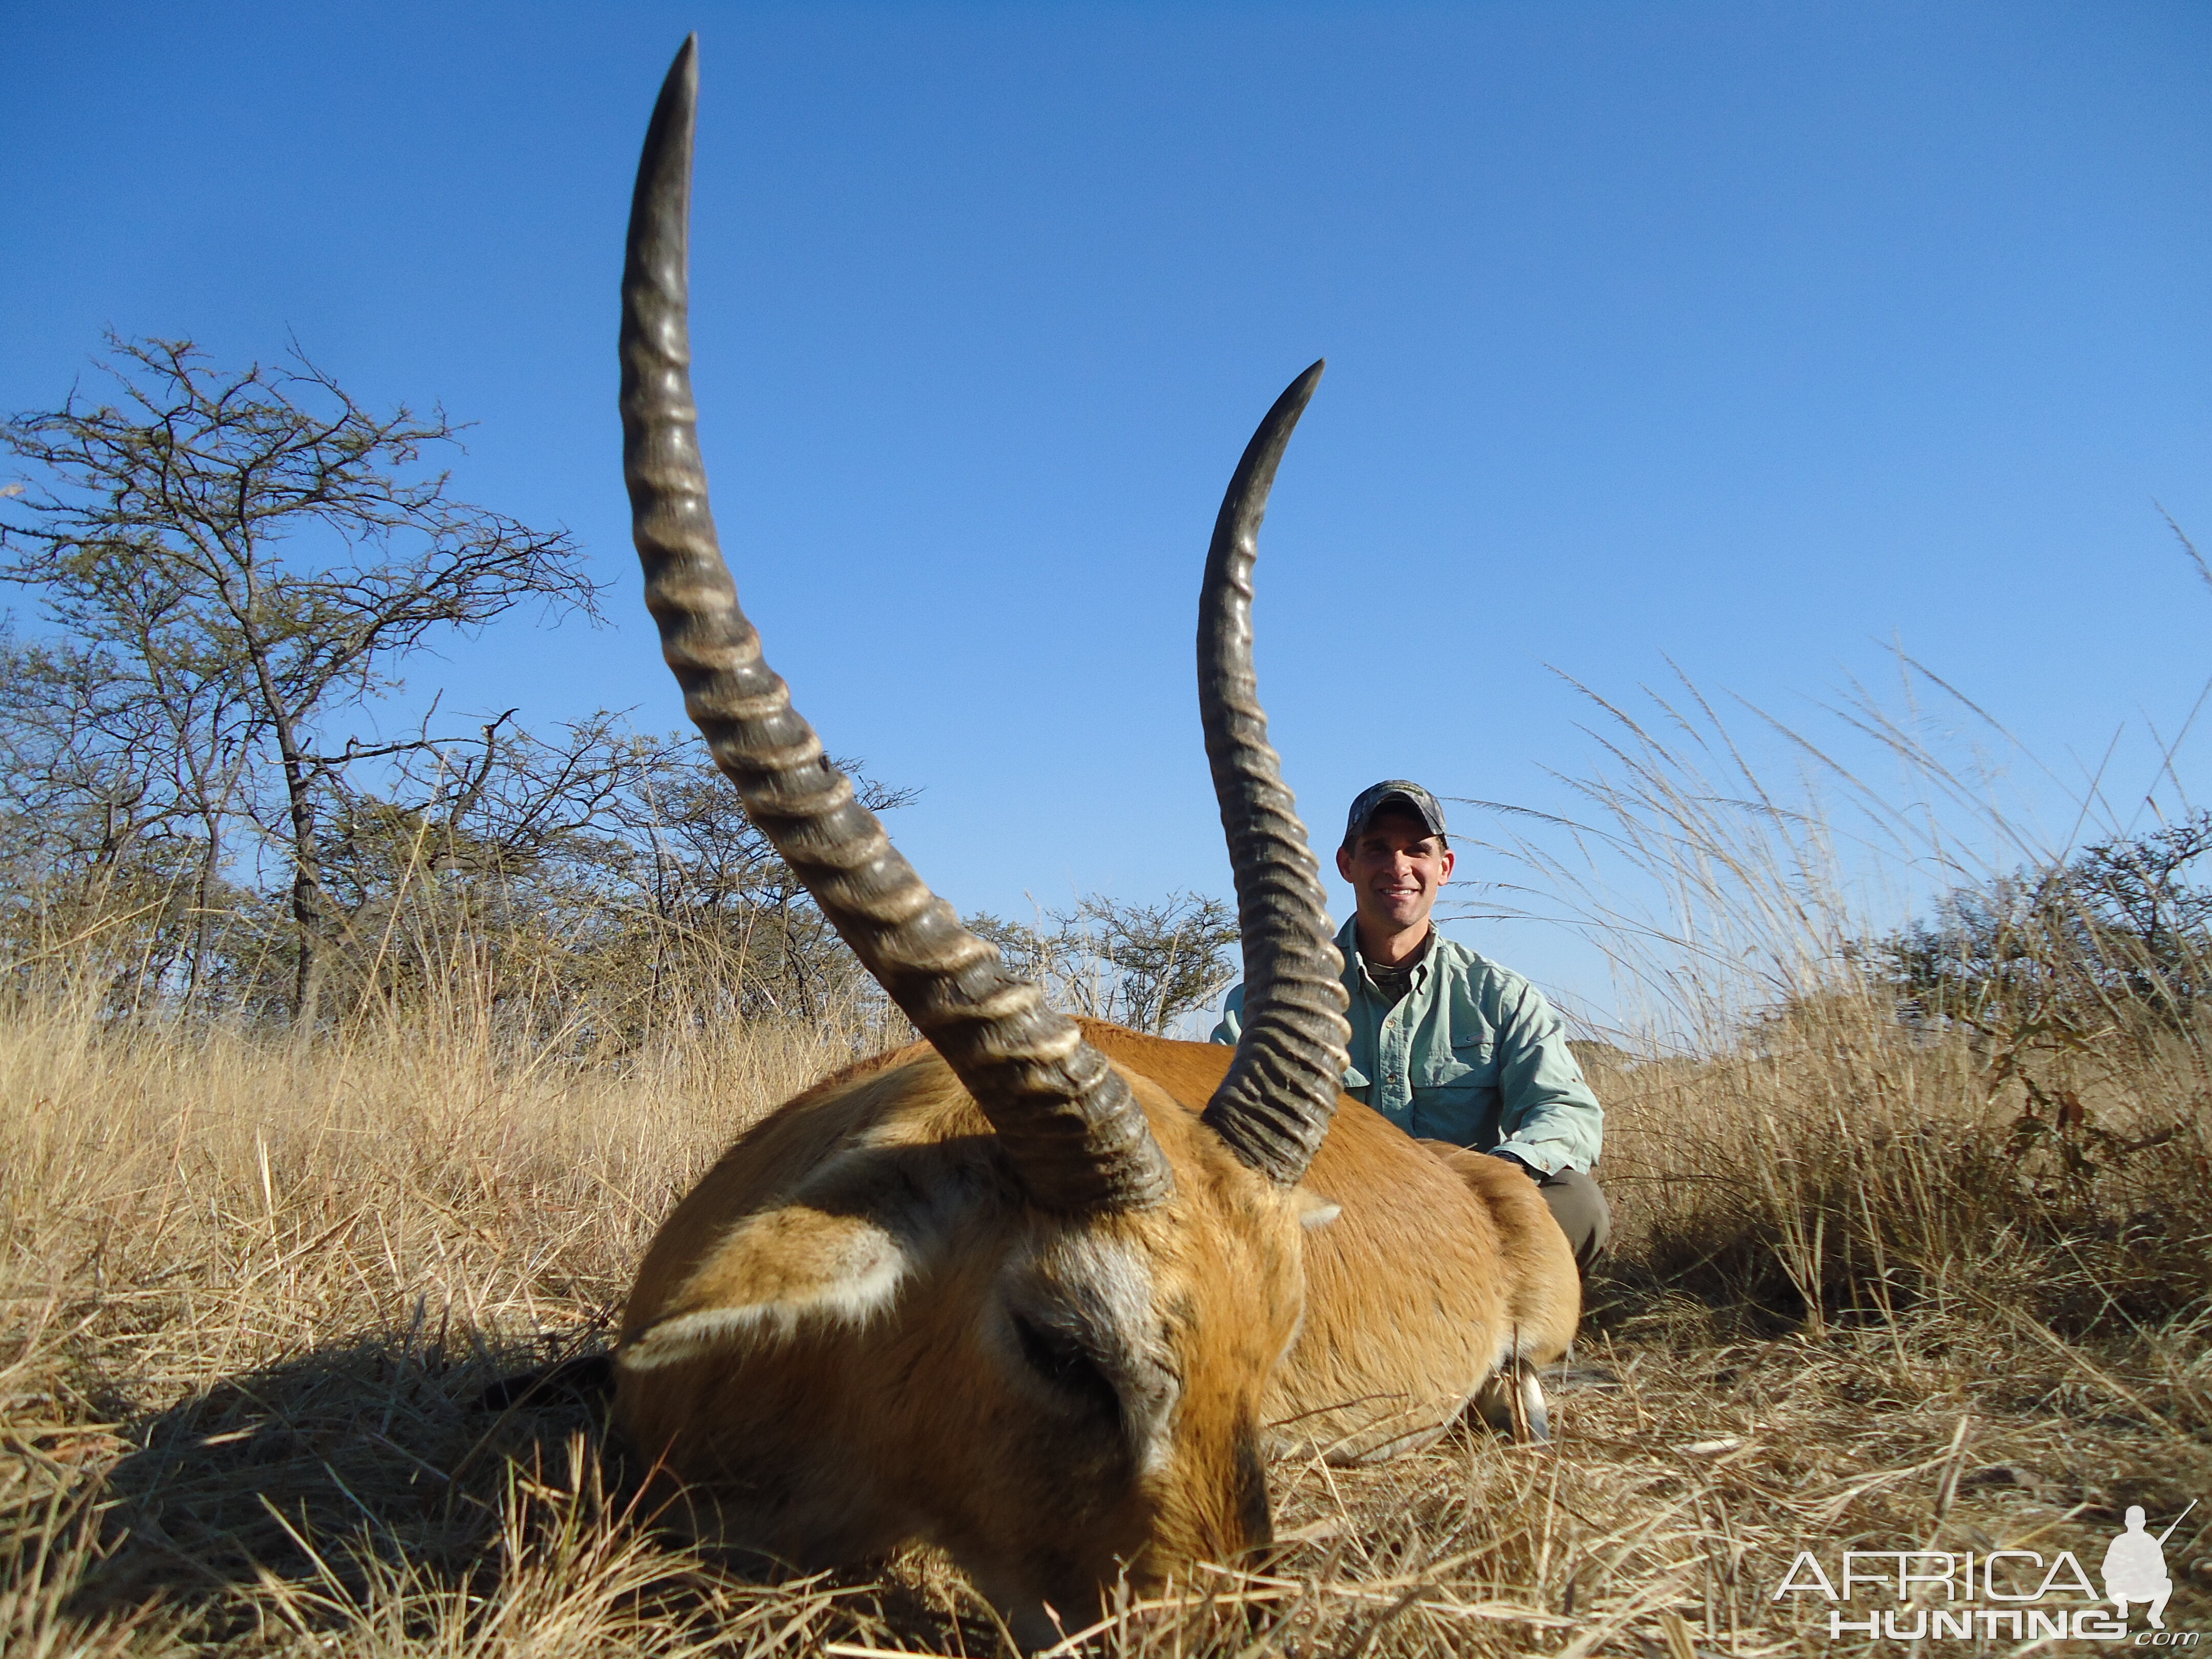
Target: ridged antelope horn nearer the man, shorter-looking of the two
1280,1096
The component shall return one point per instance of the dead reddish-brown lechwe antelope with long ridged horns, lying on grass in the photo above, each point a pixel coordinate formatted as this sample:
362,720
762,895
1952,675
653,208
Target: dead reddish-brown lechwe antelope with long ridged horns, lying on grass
1036,1291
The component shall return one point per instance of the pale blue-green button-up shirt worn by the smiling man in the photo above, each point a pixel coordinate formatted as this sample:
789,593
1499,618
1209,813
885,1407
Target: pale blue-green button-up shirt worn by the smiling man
1472,1056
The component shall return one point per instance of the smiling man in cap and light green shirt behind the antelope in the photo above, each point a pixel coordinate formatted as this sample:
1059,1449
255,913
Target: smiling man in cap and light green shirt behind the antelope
1446,1043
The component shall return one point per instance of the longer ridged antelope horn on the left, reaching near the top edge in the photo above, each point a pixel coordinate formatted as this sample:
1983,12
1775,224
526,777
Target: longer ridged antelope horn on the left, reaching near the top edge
1067,1120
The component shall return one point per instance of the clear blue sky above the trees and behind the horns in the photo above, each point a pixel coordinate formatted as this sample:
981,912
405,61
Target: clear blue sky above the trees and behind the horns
1735,335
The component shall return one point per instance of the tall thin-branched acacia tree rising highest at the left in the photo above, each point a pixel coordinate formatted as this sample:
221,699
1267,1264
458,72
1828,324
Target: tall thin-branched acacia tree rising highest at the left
255,554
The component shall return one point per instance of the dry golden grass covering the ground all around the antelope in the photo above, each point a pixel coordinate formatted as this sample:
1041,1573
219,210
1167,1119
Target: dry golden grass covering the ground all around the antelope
253,1291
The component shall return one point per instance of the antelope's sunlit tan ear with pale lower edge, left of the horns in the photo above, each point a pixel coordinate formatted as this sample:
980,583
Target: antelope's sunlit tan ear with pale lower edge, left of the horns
766,1277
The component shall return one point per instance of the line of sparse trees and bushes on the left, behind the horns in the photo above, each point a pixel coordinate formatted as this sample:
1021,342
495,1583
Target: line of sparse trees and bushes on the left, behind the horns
202,813
